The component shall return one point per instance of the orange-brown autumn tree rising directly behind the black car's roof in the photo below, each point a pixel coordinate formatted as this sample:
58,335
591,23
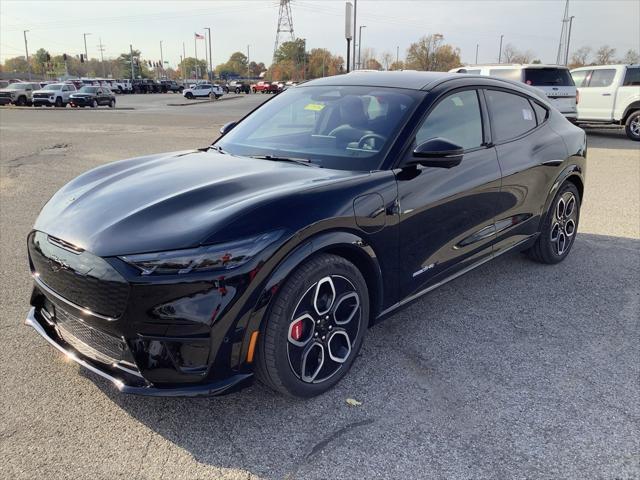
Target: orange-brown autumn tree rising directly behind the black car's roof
430,53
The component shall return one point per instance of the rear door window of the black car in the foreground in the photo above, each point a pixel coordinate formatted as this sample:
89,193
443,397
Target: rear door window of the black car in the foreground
511,115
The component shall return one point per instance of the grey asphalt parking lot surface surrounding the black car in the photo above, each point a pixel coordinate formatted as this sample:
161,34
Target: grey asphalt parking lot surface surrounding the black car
514,371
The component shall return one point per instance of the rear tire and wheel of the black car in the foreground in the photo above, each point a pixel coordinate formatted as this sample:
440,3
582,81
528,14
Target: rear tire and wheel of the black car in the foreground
546,249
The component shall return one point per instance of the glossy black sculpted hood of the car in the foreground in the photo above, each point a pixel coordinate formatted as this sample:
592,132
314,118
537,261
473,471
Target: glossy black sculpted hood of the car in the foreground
169,201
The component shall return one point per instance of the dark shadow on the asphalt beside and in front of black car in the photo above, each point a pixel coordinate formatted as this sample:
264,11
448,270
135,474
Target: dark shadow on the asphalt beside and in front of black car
515,367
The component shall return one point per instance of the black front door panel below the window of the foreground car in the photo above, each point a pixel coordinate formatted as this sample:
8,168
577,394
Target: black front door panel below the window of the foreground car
447,217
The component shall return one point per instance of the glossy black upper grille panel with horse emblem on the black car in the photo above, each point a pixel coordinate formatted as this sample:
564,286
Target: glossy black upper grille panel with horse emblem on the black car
80,277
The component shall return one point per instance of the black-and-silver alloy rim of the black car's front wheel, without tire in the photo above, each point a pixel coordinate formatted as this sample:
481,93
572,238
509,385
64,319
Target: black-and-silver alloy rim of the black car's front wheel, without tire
323,329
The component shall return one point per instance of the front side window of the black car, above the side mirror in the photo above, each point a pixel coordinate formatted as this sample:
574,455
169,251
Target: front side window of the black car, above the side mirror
456,118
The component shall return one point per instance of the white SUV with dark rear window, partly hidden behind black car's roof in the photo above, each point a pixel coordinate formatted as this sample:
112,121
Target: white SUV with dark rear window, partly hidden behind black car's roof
553,80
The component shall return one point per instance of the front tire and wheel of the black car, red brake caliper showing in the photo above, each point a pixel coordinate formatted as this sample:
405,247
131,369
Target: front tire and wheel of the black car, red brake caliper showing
274,365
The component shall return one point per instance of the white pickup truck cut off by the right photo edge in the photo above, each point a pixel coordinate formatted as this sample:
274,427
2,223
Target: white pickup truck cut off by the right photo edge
609,94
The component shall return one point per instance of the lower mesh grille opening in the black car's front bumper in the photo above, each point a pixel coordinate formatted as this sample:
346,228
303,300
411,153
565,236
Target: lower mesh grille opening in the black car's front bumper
87,340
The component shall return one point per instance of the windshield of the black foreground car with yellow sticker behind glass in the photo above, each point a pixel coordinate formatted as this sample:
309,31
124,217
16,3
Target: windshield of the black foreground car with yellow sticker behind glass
345,128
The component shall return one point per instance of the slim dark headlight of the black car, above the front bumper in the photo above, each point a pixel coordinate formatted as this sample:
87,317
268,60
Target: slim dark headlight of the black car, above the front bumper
211,257
